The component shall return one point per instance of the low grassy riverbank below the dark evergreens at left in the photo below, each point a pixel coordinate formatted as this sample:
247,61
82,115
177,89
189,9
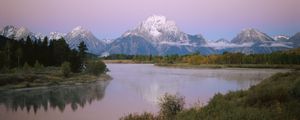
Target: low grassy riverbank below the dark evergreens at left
50,76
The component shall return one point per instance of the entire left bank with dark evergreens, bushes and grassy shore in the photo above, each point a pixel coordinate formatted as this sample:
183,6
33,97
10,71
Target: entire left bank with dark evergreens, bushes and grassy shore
46,63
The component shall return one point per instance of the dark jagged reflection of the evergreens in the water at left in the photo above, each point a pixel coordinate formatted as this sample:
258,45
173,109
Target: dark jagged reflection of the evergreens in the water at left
53,97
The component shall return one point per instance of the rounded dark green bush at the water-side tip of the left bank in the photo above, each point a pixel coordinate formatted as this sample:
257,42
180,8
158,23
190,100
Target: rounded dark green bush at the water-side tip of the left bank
96,67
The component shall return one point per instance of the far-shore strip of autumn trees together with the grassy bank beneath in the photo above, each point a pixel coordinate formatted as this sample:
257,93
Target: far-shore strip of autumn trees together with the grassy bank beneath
281,59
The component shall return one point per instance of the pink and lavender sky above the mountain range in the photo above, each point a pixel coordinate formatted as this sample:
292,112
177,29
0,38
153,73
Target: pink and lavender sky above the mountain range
109,19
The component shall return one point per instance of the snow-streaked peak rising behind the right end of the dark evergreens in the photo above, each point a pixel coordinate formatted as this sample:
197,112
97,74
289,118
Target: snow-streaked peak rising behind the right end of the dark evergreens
79,34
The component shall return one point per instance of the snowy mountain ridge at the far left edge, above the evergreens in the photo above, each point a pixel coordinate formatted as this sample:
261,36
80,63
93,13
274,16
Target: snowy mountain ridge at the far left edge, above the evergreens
18,33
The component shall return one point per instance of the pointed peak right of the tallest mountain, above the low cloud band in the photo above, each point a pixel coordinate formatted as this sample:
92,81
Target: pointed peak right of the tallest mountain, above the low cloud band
251,35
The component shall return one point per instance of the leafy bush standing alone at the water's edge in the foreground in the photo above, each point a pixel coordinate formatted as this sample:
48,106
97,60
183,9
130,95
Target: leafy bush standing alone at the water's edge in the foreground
170,105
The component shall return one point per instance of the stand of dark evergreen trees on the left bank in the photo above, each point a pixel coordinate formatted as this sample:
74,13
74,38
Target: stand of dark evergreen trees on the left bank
16,53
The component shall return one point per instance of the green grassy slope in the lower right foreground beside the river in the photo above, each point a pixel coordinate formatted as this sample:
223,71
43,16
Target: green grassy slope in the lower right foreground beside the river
277,97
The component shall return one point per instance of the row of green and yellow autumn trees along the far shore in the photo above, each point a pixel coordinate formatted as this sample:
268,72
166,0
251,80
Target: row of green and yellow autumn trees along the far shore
282,57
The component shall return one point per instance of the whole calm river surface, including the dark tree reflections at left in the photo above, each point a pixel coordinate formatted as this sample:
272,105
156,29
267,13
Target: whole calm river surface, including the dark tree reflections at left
134,88
